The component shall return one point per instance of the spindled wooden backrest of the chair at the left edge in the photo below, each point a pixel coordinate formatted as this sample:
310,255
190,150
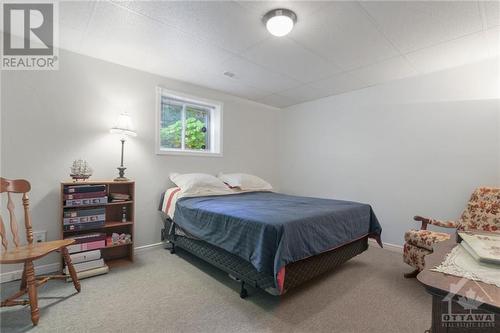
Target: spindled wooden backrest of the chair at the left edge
16,186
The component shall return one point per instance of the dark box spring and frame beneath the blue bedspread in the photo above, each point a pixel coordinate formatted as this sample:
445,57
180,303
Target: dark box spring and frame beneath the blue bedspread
241,270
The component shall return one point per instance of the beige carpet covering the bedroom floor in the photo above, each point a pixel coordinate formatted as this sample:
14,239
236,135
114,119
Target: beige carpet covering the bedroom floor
161,292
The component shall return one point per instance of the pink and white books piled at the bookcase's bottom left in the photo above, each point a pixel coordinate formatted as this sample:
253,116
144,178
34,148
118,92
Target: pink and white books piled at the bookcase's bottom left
85,254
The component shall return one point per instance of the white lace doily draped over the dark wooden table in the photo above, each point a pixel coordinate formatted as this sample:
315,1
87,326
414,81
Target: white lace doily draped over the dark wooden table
460,263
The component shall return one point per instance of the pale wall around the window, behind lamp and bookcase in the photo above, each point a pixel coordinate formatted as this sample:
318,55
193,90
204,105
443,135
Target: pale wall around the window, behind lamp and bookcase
50,118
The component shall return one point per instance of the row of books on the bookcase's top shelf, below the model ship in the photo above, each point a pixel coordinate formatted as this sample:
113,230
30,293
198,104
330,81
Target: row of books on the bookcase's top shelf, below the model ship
82,195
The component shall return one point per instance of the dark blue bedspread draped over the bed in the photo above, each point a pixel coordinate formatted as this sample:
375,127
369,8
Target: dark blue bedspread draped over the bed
271,230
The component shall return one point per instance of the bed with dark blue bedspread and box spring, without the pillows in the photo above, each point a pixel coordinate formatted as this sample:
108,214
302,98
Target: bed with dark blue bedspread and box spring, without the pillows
268,240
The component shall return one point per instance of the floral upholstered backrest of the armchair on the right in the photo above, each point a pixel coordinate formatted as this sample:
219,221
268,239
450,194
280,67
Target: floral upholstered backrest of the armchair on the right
483,211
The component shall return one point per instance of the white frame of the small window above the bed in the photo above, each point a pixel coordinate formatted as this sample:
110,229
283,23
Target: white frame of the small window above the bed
215,140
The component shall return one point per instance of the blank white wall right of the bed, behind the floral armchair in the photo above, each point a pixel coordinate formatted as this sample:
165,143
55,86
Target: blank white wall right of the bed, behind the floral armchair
414,146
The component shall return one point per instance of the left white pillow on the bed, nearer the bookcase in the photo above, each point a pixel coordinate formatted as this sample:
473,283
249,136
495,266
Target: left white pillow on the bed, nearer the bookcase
199,184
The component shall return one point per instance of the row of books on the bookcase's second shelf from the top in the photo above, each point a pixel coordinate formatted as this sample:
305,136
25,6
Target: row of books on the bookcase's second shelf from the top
84,219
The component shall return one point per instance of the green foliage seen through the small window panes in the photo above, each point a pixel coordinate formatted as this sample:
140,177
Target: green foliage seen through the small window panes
195,135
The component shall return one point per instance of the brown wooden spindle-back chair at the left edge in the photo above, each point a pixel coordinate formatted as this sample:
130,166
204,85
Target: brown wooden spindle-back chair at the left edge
28,253
